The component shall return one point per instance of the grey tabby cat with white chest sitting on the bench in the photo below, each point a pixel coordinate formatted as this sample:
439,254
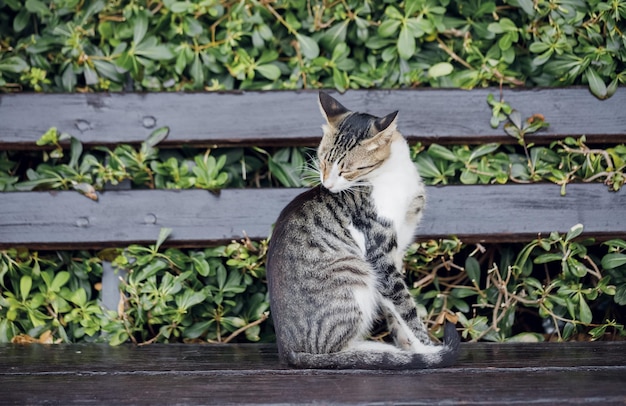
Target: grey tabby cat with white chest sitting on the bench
335,256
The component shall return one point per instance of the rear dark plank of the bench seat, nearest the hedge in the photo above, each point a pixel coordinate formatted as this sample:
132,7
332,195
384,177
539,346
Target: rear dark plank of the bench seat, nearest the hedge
103,358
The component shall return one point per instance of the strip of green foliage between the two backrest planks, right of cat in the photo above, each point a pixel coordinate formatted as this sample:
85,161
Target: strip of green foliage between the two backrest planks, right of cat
562,162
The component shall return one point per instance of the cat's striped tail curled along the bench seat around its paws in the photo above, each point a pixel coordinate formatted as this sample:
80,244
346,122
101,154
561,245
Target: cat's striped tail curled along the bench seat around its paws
381,359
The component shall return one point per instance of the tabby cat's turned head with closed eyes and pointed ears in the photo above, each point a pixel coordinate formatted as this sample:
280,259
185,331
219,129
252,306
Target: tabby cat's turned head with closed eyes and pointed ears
353,146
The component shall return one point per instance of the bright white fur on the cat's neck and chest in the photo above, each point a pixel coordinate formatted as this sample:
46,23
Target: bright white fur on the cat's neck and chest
395,187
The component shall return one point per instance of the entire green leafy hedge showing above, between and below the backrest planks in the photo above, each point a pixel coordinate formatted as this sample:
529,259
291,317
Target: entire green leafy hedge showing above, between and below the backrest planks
555,287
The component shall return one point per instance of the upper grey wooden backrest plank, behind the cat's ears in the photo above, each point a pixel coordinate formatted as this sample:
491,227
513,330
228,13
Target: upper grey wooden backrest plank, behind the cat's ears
292,117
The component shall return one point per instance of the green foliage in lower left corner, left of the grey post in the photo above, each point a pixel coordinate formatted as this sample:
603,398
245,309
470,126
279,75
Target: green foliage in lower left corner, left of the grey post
50,295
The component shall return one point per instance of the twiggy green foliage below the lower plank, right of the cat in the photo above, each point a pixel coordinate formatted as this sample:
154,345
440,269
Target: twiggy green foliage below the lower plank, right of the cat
556,284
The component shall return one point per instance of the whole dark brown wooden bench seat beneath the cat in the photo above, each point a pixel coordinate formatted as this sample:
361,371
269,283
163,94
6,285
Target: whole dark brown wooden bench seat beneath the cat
570,373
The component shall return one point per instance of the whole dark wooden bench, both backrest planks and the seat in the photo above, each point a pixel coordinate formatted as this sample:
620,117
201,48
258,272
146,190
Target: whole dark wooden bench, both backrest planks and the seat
188,374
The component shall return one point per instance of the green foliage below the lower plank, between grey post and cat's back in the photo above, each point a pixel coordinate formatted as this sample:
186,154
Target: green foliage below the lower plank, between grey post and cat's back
212,295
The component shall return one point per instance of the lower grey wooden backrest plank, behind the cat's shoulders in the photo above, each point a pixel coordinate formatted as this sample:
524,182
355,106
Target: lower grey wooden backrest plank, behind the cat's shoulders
493,213
